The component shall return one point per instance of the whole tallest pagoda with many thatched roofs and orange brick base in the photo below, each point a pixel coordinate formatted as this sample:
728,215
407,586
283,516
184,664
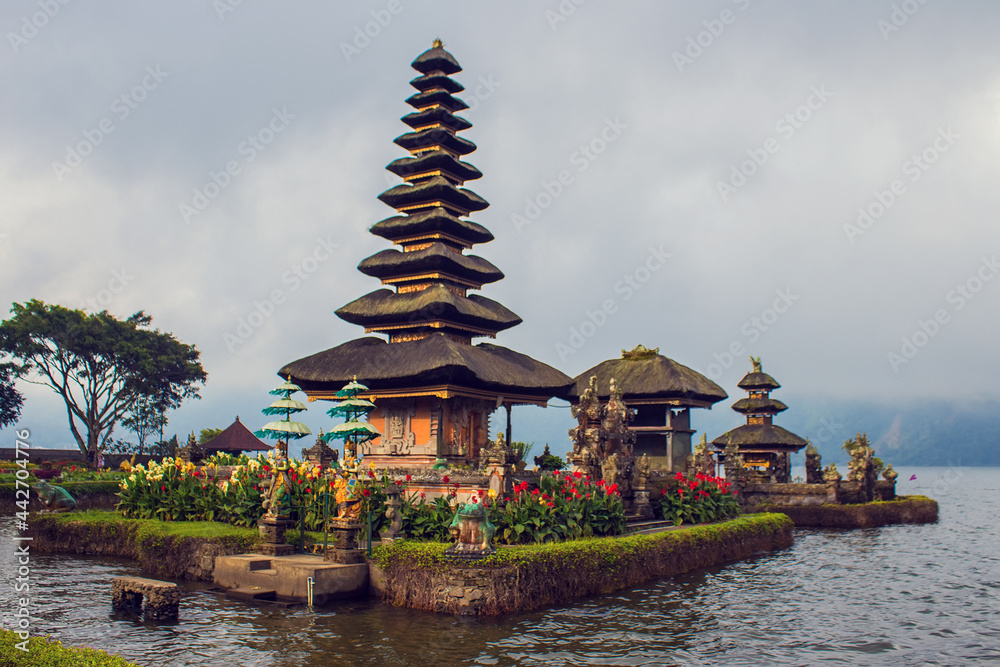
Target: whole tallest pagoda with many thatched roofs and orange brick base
434,390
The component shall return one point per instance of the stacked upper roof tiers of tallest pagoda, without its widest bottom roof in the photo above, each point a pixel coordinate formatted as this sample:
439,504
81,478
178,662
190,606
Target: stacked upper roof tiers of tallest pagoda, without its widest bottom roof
431,274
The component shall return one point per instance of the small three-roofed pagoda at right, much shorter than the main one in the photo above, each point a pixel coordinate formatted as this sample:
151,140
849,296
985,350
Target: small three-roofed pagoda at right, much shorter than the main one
764,447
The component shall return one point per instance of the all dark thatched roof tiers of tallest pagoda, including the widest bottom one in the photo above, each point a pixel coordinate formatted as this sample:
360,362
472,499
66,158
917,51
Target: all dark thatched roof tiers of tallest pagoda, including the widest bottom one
429,317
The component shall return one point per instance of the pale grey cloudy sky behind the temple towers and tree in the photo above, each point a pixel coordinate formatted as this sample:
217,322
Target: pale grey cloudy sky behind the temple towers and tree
815,183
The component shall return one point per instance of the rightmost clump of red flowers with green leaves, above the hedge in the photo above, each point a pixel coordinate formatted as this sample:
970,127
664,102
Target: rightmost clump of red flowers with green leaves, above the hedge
696,499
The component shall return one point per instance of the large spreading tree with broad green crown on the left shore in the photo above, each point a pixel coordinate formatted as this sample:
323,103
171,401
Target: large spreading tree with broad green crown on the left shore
99,365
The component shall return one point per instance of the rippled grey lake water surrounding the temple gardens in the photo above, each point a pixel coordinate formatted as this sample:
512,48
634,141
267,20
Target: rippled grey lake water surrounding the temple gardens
899,595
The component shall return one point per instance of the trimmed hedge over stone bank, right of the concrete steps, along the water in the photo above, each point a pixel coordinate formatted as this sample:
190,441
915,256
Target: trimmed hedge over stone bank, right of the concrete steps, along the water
519,579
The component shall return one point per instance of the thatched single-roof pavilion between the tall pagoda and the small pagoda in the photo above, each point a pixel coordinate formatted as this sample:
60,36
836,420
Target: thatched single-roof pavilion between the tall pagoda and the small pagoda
662,393
